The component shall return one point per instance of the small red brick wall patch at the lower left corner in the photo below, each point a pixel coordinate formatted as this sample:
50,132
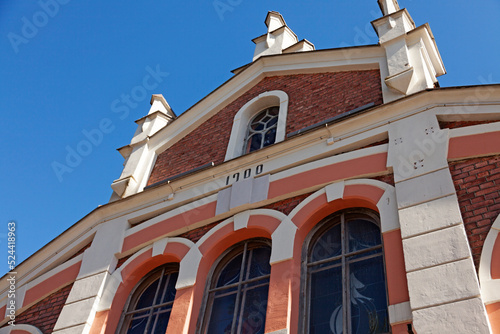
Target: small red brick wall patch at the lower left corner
44,314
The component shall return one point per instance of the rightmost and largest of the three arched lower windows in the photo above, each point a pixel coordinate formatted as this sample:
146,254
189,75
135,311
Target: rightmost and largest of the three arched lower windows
345,281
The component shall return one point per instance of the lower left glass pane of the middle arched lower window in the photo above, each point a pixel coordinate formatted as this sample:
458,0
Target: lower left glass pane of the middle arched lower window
222,314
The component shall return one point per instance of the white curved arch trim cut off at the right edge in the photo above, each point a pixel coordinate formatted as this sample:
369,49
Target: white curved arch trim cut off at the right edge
490,288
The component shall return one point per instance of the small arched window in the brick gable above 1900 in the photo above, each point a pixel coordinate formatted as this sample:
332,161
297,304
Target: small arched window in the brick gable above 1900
262,130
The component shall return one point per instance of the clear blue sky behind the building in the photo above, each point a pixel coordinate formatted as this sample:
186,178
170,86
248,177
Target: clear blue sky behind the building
66,68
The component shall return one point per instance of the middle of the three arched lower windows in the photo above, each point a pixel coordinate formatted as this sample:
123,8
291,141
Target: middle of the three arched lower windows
237,294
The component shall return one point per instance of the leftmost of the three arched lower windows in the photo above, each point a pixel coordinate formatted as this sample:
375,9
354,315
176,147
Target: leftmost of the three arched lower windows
149,307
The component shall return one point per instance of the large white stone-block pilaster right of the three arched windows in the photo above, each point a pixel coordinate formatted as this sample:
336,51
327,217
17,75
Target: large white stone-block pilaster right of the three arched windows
442,280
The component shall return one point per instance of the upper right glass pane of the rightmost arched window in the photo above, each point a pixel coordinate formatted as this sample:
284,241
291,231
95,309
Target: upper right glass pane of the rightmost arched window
362,234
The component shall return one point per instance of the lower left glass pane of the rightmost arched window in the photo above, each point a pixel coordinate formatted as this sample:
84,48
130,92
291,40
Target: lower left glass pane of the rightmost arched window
325,313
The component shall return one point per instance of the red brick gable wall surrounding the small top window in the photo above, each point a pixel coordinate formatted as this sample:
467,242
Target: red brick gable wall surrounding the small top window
312,98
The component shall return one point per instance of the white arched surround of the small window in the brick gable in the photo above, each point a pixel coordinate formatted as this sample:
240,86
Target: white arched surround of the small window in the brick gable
249,110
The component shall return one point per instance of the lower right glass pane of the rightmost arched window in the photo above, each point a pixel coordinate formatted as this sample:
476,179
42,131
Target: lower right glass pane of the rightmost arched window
368,297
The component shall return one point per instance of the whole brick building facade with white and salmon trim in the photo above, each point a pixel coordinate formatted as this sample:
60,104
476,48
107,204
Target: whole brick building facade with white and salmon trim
317,191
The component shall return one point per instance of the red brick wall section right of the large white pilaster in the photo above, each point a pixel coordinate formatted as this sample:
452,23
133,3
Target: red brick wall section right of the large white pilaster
477,182
